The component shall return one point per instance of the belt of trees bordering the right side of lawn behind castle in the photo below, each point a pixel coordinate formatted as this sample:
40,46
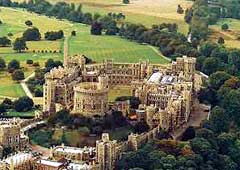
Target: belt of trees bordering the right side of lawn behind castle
165,36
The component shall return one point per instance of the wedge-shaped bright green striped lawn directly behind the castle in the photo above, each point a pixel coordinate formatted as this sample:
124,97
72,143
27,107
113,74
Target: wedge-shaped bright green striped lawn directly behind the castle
103,47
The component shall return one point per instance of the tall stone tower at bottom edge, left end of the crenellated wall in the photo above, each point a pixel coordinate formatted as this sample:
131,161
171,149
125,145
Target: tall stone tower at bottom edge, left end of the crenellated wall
106,152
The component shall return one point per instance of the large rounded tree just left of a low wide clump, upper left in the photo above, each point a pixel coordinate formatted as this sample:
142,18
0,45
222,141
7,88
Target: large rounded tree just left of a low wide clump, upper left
32,34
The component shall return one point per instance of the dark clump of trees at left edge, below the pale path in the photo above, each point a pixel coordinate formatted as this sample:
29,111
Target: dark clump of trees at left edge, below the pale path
22,104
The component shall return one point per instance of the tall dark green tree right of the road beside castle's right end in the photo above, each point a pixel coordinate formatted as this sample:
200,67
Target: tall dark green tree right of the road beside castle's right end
219,120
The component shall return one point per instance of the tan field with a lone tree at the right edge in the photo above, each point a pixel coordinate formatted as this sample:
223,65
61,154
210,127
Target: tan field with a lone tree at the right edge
230,36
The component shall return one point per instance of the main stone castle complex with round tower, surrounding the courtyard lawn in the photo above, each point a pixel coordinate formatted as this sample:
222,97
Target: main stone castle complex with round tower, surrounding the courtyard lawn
165,91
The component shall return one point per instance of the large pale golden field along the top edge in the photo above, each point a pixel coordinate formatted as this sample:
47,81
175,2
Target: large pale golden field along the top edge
147,12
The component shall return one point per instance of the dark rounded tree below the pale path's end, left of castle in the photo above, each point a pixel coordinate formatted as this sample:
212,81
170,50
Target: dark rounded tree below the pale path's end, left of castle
23,104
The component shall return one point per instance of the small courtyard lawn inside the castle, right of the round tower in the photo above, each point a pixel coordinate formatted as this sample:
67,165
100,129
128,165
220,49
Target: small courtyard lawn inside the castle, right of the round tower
118,91
